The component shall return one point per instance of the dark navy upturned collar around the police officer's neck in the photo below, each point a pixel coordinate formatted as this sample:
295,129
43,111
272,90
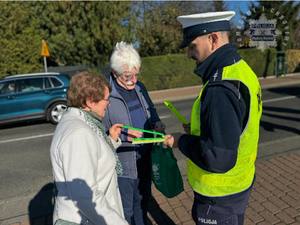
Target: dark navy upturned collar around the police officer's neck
223,56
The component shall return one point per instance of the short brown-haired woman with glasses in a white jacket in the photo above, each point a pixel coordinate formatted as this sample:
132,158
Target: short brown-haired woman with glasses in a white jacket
83,157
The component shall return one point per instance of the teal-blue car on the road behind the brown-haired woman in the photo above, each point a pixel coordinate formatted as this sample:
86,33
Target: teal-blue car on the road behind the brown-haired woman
33,96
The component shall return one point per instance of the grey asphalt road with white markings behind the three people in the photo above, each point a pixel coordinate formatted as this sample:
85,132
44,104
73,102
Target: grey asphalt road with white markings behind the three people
24,148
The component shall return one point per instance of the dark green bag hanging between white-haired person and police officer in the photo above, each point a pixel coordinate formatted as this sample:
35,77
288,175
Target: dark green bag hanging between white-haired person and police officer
165,172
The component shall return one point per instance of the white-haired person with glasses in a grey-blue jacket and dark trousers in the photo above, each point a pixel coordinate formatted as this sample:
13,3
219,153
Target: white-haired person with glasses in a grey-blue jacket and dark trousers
130,104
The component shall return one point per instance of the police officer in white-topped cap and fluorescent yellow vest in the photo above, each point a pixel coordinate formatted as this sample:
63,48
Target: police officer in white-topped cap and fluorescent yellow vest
221,145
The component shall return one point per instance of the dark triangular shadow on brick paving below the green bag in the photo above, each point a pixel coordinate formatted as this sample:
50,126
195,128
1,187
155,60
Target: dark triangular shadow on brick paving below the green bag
158,215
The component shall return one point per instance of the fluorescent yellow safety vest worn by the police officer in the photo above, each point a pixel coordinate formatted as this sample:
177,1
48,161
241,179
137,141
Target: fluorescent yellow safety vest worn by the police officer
240,177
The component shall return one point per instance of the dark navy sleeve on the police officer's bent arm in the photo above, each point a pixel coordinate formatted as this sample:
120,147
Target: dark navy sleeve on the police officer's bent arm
222,114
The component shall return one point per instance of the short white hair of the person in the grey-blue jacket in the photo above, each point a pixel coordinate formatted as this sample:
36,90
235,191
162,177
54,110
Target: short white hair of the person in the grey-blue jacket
124,54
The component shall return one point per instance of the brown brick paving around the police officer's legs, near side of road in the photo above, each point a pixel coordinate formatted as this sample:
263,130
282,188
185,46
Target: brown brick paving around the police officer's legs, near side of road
275,198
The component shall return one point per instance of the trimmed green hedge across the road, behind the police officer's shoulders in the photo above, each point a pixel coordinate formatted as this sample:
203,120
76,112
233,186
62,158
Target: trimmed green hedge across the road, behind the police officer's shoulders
170,71
